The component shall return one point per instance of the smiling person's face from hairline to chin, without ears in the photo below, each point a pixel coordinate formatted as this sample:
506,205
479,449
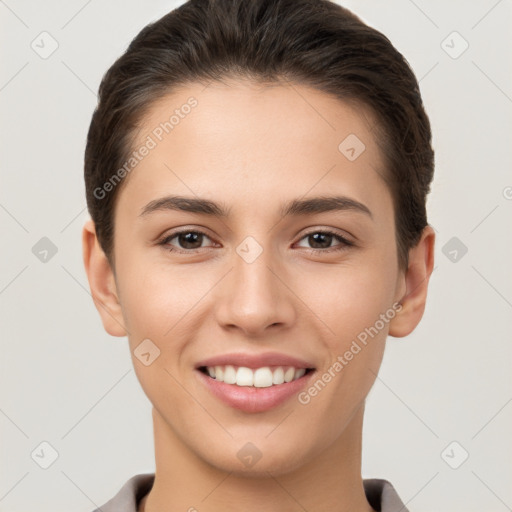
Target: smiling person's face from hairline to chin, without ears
258,279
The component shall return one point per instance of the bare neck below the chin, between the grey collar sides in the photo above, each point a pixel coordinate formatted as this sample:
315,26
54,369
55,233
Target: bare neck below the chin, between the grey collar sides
331,481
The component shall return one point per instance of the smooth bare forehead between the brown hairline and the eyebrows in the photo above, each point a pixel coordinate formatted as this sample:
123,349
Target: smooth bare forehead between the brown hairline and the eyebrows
243,140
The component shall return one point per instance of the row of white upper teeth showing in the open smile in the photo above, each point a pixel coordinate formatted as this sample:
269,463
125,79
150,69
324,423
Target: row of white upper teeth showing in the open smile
260,378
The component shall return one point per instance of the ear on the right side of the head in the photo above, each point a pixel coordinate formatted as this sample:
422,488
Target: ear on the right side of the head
416,278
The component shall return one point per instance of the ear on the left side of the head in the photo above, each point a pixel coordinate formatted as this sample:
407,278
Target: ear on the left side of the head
102,282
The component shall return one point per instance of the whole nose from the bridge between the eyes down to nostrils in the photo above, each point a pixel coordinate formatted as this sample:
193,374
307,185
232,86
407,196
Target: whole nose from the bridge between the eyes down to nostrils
252,296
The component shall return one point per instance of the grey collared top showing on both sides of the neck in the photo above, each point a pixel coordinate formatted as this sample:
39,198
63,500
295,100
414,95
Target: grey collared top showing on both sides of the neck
380,494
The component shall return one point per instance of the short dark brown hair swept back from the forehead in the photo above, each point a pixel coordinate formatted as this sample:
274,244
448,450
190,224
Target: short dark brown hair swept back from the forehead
311,42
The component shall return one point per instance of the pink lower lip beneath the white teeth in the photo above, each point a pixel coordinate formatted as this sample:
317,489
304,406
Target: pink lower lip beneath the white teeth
252,399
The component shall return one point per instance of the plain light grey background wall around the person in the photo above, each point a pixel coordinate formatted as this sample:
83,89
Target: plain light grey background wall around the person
65,381
